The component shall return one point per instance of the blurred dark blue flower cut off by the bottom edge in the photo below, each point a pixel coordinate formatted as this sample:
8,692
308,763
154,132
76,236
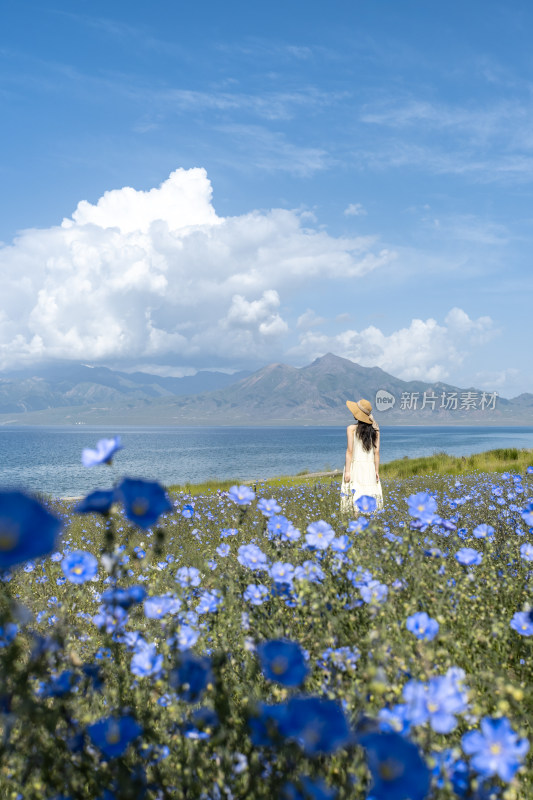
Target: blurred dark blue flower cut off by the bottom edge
397,768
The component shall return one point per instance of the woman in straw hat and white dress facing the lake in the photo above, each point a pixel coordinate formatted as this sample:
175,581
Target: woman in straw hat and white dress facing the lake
361,469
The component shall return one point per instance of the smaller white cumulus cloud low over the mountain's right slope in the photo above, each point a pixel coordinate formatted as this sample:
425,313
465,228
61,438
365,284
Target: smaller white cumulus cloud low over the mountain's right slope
425,350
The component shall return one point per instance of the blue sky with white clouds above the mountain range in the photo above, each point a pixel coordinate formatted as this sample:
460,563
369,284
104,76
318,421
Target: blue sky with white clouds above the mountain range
354,178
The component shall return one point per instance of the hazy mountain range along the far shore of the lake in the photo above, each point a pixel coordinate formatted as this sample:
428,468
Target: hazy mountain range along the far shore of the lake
276,394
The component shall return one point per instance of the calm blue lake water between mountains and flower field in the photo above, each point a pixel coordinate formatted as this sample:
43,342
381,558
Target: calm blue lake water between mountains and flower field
48,459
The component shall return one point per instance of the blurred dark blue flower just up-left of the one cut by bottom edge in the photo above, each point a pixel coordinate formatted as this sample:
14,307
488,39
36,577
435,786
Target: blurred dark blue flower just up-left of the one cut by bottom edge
317,724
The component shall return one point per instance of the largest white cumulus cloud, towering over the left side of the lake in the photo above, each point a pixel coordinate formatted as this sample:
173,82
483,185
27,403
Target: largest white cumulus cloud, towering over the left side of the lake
150,274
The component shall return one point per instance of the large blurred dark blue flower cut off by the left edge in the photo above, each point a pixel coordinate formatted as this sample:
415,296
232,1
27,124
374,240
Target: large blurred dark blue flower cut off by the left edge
27,529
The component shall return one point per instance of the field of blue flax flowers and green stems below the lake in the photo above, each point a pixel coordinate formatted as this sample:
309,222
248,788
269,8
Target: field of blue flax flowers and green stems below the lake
244,645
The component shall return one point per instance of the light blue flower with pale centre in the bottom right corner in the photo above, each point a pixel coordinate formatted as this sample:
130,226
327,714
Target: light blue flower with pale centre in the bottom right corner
496,749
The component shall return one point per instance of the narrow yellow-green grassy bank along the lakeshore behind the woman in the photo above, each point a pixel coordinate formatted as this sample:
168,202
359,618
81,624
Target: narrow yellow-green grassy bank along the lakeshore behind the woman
502,460
